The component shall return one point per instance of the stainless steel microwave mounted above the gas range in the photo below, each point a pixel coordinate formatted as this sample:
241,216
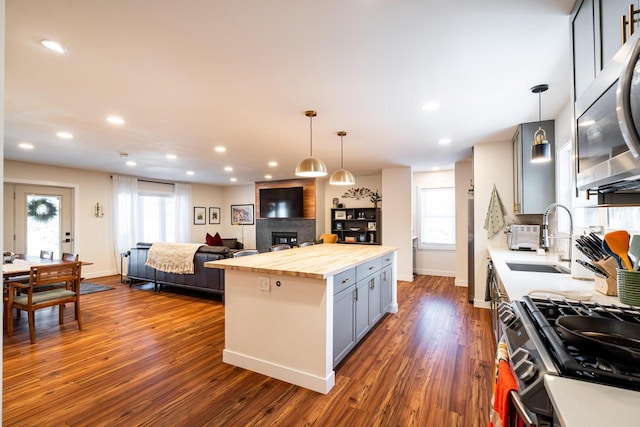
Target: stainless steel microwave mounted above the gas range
608,125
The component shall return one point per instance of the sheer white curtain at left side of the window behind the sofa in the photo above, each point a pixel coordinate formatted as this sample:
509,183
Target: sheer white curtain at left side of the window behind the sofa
125,212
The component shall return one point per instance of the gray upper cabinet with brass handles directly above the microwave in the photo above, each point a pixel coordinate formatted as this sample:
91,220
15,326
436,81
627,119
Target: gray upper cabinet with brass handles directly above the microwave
597,33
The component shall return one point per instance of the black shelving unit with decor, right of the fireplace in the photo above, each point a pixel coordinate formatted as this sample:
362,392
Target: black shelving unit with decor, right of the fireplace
357,225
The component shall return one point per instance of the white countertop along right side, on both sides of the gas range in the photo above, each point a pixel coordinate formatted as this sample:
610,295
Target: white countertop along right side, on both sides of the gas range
578,403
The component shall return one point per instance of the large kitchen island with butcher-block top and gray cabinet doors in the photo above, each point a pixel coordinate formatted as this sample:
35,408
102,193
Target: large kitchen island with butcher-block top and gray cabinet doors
280,312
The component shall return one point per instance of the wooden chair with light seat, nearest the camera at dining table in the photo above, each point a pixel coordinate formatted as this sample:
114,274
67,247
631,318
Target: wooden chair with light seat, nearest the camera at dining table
67,274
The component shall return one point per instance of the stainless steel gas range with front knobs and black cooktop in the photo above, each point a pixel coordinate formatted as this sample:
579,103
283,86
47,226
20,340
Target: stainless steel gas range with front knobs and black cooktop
581,341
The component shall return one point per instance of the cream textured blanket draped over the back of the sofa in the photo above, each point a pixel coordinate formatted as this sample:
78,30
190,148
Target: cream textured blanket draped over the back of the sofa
172,257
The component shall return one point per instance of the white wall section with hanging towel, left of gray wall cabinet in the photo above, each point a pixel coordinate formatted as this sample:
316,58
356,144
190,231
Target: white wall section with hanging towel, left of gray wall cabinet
492,164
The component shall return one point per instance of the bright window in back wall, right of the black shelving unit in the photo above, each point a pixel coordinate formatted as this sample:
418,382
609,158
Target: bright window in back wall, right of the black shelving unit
437,218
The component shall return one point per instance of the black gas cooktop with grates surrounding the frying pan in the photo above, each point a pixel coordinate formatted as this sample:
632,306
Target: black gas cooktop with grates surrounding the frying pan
584,362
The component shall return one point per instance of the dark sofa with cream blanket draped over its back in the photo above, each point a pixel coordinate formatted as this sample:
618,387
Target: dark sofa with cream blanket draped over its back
204,279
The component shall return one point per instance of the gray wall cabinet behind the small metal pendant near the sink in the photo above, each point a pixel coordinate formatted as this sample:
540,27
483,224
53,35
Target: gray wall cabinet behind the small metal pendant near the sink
534,186
